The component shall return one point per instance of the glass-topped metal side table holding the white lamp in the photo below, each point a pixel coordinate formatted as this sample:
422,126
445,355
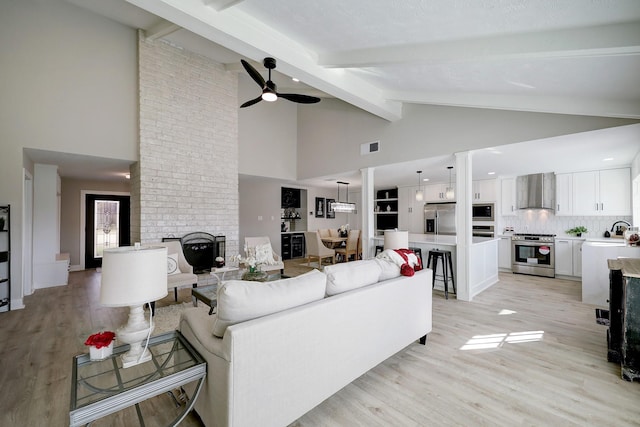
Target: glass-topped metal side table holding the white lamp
100,388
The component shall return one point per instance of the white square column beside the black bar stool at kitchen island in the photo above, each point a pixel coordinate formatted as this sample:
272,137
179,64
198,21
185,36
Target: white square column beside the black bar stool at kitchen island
464,201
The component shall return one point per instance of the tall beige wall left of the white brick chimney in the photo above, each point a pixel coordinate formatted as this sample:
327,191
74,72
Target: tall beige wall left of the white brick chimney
68,84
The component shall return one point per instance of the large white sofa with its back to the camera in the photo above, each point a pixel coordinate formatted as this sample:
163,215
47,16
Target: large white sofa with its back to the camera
271,370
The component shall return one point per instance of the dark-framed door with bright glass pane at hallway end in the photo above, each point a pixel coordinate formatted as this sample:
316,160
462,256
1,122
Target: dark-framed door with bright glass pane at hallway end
107,226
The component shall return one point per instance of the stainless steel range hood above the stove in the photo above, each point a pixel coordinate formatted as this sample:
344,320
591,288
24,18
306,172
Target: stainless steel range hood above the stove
536,191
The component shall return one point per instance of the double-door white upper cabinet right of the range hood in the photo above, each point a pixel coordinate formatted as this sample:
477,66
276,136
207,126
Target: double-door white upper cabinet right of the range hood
605,192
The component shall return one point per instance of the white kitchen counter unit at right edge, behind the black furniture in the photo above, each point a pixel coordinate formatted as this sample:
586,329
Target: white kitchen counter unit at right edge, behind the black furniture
595,270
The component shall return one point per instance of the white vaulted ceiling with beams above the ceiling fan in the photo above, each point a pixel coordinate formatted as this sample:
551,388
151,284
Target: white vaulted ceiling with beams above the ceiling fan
554,56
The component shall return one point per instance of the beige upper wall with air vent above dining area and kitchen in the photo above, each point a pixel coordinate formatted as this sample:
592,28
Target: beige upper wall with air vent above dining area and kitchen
330,133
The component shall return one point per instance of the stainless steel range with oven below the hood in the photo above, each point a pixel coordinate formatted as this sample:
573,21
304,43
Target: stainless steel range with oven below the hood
533,254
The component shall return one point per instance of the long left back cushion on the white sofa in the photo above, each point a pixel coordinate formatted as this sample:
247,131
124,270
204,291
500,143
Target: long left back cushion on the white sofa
241,300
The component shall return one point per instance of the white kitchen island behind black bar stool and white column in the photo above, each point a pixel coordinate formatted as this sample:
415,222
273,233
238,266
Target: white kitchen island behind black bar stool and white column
483,271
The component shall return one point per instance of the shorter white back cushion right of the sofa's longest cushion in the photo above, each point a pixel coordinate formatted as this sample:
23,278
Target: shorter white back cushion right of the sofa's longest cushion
351,275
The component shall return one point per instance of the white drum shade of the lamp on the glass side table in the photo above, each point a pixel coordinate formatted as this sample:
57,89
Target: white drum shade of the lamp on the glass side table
133,275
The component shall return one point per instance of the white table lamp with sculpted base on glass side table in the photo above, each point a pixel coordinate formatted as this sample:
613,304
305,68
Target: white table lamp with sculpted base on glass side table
133,276
